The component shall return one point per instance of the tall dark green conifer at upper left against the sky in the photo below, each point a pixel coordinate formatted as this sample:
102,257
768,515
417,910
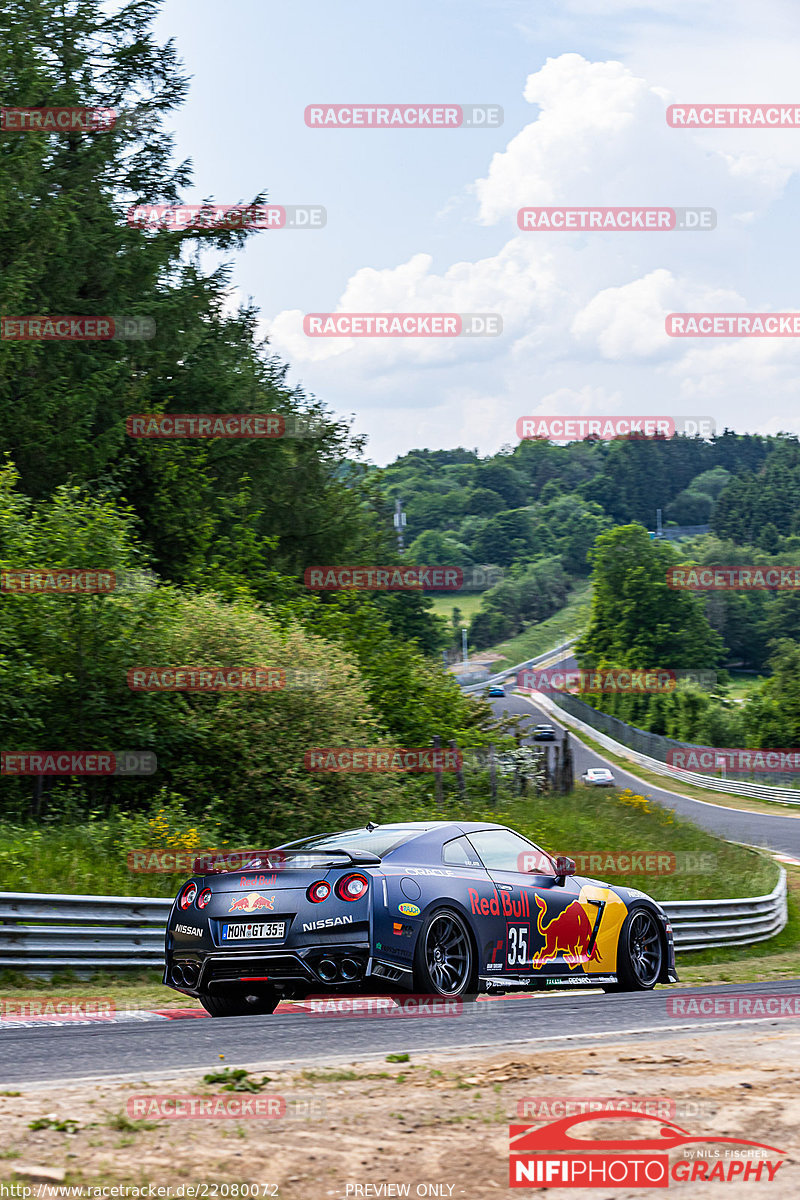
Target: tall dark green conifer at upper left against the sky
67,248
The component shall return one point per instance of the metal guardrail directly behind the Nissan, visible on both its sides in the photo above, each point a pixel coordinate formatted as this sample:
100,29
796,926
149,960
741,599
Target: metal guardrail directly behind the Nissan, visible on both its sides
52,933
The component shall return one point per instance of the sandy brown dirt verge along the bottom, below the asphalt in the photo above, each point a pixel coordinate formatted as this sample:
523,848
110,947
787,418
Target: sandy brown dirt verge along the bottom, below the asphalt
437,1125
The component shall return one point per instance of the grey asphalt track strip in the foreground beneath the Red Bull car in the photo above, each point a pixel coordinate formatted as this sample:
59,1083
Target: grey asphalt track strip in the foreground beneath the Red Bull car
524,1023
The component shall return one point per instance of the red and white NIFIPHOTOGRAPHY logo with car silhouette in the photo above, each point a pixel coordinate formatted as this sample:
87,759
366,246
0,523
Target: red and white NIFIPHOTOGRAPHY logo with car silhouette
562,1155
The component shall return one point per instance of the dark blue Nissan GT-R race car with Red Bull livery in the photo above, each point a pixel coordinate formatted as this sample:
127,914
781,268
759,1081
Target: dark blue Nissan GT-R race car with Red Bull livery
437,909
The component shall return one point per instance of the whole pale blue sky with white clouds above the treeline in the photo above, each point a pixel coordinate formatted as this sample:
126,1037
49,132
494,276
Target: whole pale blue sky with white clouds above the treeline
426,220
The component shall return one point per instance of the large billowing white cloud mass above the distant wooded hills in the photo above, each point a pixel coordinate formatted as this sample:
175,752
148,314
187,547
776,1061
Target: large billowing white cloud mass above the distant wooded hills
584,313
